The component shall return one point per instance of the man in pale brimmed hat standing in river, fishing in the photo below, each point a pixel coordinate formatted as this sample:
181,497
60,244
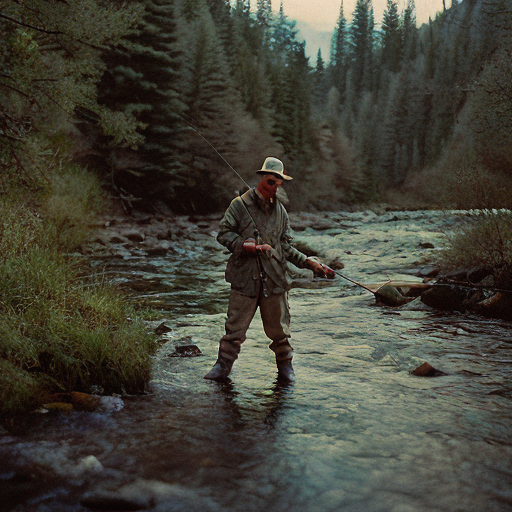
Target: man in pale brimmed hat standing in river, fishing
255,229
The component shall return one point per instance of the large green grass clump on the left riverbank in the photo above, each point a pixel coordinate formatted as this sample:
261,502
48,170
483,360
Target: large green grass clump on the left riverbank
58,330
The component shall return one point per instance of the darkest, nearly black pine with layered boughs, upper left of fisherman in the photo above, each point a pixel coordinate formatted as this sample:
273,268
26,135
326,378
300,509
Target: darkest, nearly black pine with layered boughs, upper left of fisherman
144,78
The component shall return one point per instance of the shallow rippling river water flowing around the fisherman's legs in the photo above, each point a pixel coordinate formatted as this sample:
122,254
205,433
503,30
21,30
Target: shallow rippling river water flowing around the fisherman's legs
356,433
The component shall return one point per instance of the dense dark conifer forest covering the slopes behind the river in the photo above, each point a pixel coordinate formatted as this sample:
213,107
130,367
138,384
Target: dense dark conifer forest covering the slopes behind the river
148,93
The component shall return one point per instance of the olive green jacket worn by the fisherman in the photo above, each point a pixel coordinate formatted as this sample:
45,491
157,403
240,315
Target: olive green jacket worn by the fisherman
273,225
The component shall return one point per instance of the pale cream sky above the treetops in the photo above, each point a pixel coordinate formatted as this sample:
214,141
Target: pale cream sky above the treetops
323,14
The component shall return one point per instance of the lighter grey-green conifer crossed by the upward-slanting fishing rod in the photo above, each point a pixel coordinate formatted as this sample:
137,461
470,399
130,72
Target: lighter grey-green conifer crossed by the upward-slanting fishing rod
215,109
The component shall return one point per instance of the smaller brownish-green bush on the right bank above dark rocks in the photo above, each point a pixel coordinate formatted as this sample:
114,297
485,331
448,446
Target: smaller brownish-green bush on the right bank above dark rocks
484,241
